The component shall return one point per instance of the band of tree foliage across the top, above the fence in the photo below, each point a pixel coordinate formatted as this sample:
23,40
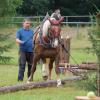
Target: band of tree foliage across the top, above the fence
40,7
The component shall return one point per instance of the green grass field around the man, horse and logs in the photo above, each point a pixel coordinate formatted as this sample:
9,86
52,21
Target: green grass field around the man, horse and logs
9,72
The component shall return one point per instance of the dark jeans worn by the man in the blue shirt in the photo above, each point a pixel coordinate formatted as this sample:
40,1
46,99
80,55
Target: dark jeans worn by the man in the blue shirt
24,57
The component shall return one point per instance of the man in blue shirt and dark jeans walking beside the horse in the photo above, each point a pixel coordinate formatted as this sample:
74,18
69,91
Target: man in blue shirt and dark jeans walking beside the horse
24,37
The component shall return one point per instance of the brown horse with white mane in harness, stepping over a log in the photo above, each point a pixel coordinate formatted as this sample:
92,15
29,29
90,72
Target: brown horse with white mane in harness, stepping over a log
48,48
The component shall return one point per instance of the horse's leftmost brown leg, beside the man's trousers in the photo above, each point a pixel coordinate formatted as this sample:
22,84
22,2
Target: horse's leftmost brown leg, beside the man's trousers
33,69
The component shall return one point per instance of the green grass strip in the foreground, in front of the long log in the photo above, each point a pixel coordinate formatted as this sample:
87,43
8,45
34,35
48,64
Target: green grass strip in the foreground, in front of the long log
65,93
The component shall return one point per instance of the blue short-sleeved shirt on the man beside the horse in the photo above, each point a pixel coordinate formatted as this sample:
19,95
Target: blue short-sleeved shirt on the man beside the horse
26,36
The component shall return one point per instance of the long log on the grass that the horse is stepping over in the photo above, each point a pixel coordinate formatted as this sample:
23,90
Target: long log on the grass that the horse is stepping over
27,86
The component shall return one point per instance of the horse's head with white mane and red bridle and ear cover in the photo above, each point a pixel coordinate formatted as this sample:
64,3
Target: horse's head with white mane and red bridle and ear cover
51,30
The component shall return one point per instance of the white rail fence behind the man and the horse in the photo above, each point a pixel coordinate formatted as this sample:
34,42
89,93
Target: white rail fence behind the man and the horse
86,20
